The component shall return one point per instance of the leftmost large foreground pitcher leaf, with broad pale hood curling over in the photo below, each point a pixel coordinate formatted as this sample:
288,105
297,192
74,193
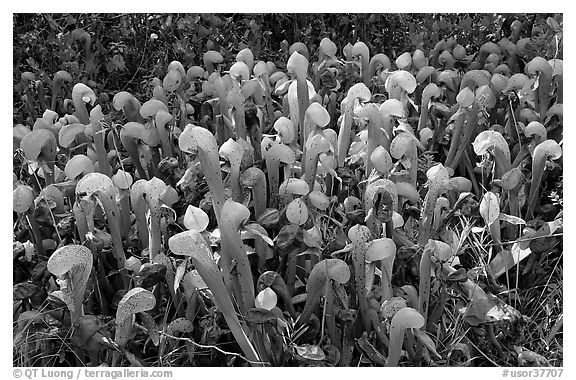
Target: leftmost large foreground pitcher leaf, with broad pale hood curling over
77,261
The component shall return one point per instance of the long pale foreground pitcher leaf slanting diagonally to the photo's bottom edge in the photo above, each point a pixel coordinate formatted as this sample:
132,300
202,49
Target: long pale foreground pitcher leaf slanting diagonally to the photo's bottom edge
191,243
